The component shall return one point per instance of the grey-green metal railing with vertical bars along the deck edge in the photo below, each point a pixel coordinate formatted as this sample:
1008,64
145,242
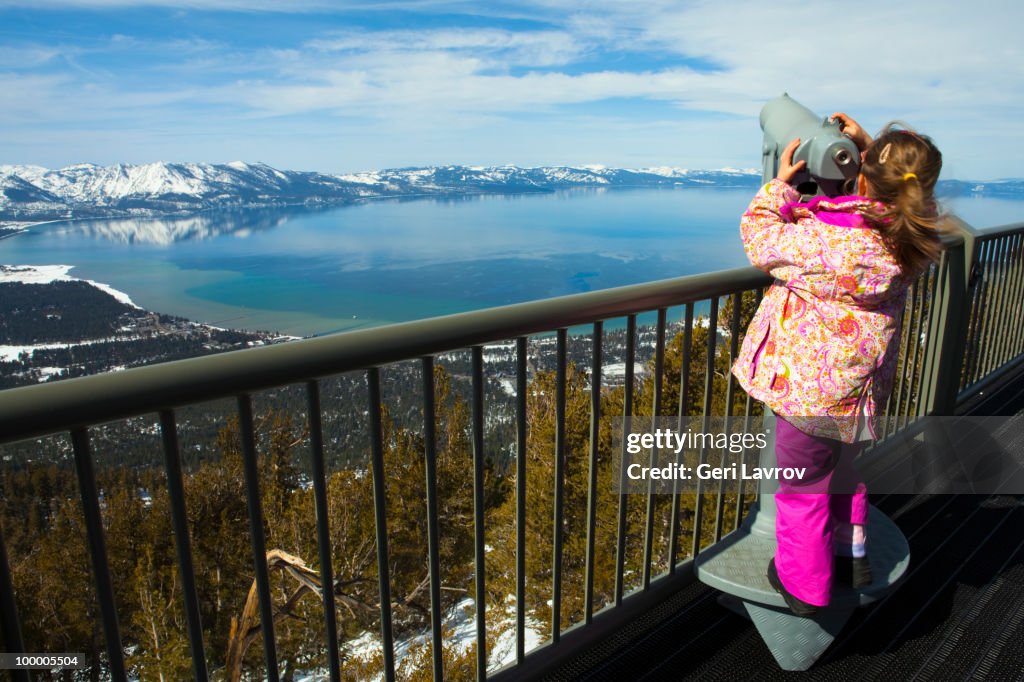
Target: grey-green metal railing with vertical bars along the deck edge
959,331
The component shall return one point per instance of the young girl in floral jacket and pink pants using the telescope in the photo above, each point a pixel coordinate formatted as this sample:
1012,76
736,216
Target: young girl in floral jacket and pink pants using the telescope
821,351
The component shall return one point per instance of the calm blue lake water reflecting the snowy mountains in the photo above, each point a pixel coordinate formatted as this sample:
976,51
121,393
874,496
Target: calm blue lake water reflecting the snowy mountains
305,272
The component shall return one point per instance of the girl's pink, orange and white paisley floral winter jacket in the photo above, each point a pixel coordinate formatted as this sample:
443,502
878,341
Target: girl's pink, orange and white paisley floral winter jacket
819,349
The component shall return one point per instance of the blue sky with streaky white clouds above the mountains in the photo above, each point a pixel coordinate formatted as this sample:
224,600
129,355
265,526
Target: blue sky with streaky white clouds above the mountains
346,87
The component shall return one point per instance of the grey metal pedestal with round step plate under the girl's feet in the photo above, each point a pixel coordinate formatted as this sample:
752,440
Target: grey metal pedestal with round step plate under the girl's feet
738,566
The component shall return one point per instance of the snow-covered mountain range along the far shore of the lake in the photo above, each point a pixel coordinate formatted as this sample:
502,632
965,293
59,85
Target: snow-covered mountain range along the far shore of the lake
32,193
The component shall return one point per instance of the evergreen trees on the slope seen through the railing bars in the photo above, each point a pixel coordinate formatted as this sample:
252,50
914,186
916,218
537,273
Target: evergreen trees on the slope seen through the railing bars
45,533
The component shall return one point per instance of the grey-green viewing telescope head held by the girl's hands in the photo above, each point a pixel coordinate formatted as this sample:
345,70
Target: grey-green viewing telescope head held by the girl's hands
833,159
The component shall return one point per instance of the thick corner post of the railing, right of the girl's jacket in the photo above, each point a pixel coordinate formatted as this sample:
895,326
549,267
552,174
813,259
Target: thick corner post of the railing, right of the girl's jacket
948,327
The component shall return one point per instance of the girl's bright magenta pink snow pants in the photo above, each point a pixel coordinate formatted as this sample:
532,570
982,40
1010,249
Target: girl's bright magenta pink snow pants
807,511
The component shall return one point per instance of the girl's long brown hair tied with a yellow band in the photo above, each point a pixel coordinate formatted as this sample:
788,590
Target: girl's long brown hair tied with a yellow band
902,168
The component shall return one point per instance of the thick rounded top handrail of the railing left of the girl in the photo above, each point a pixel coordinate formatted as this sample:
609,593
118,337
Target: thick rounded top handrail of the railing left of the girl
34,411
